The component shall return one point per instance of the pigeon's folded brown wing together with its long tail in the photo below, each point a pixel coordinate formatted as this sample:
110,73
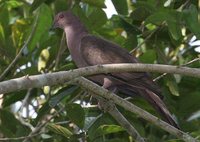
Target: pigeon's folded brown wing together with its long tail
96,51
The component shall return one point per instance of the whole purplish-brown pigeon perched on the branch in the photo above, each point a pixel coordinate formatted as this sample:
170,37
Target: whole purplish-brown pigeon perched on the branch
88,50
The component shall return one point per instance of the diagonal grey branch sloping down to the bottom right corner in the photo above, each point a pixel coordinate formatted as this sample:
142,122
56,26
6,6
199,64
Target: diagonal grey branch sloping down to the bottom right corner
132,108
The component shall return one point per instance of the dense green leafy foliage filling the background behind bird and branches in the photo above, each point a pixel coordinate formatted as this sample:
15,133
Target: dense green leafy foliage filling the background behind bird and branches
156,31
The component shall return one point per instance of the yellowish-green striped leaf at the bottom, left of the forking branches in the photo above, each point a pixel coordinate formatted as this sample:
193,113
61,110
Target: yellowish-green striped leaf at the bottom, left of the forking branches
59,130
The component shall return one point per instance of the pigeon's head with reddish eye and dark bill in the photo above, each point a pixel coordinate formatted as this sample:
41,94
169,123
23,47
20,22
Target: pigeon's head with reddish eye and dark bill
63,19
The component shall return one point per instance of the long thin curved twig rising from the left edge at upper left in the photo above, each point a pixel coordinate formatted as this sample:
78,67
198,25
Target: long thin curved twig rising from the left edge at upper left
21,50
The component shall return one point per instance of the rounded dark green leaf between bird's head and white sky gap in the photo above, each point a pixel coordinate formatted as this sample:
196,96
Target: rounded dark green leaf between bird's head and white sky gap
94,17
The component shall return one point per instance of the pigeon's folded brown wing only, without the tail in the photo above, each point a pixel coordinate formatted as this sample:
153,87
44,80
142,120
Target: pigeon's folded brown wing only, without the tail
96,51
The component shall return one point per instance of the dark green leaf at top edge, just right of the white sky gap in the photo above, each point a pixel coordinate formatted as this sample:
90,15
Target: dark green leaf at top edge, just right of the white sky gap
121,6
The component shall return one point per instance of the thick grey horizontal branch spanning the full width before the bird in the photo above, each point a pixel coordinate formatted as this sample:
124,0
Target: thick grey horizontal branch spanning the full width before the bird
37,81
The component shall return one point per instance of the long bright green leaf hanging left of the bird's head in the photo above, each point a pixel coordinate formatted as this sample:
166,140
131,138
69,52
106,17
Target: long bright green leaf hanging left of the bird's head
43,24
